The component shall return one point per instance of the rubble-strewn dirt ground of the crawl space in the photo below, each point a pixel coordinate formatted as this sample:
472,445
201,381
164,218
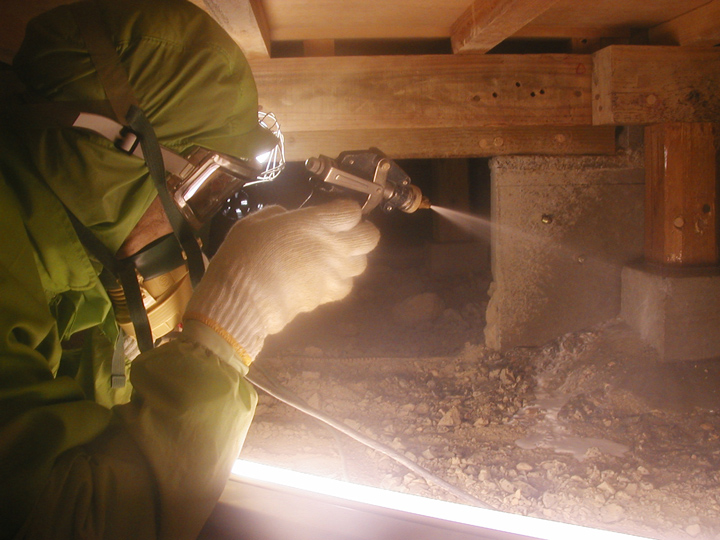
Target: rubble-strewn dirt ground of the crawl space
589,429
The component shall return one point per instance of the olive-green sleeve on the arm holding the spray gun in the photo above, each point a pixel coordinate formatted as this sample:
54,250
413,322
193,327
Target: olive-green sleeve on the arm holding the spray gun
161,464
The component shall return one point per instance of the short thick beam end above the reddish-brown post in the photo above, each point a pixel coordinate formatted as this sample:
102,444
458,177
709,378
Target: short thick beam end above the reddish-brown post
653,84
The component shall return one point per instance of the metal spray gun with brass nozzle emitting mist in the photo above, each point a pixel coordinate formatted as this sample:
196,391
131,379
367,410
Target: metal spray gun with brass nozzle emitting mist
369,173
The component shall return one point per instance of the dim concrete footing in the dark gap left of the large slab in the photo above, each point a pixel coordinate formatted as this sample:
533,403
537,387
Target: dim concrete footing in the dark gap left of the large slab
455,258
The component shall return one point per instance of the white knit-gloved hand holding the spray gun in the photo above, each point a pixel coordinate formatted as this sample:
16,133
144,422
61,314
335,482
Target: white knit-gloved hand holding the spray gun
275,264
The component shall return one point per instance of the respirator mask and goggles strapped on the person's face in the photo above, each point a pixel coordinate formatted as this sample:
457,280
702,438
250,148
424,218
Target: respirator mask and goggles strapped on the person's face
203,185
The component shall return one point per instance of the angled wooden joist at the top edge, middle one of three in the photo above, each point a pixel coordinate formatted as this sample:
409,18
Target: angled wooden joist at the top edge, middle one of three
485,24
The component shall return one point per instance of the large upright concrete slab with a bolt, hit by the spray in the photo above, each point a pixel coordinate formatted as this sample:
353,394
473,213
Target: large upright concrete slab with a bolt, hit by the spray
562,230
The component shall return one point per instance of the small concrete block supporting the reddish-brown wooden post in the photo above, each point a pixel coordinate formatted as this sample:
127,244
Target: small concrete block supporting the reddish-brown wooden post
676,311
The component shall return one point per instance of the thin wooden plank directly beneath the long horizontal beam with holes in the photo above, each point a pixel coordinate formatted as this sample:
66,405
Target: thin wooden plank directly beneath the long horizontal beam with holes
454,143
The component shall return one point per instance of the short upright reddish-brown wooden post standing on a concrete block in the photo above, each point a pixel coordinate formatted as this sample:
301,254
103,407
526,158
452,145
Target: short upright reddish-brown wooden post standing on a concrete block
681,194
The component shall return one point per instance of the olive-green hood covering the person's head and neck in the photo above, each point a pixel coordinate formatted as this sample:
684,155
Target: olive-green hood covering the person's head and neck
191,80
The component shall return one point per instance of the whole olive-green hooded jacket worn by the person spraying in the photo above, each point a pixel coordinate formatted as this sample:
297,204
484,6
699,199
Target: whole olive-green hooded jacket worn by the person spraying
77,459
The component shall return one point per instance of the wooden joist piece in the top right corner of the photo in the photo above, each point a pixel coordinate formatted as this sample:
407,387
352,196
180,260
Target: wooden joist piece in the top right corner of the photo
698,27
